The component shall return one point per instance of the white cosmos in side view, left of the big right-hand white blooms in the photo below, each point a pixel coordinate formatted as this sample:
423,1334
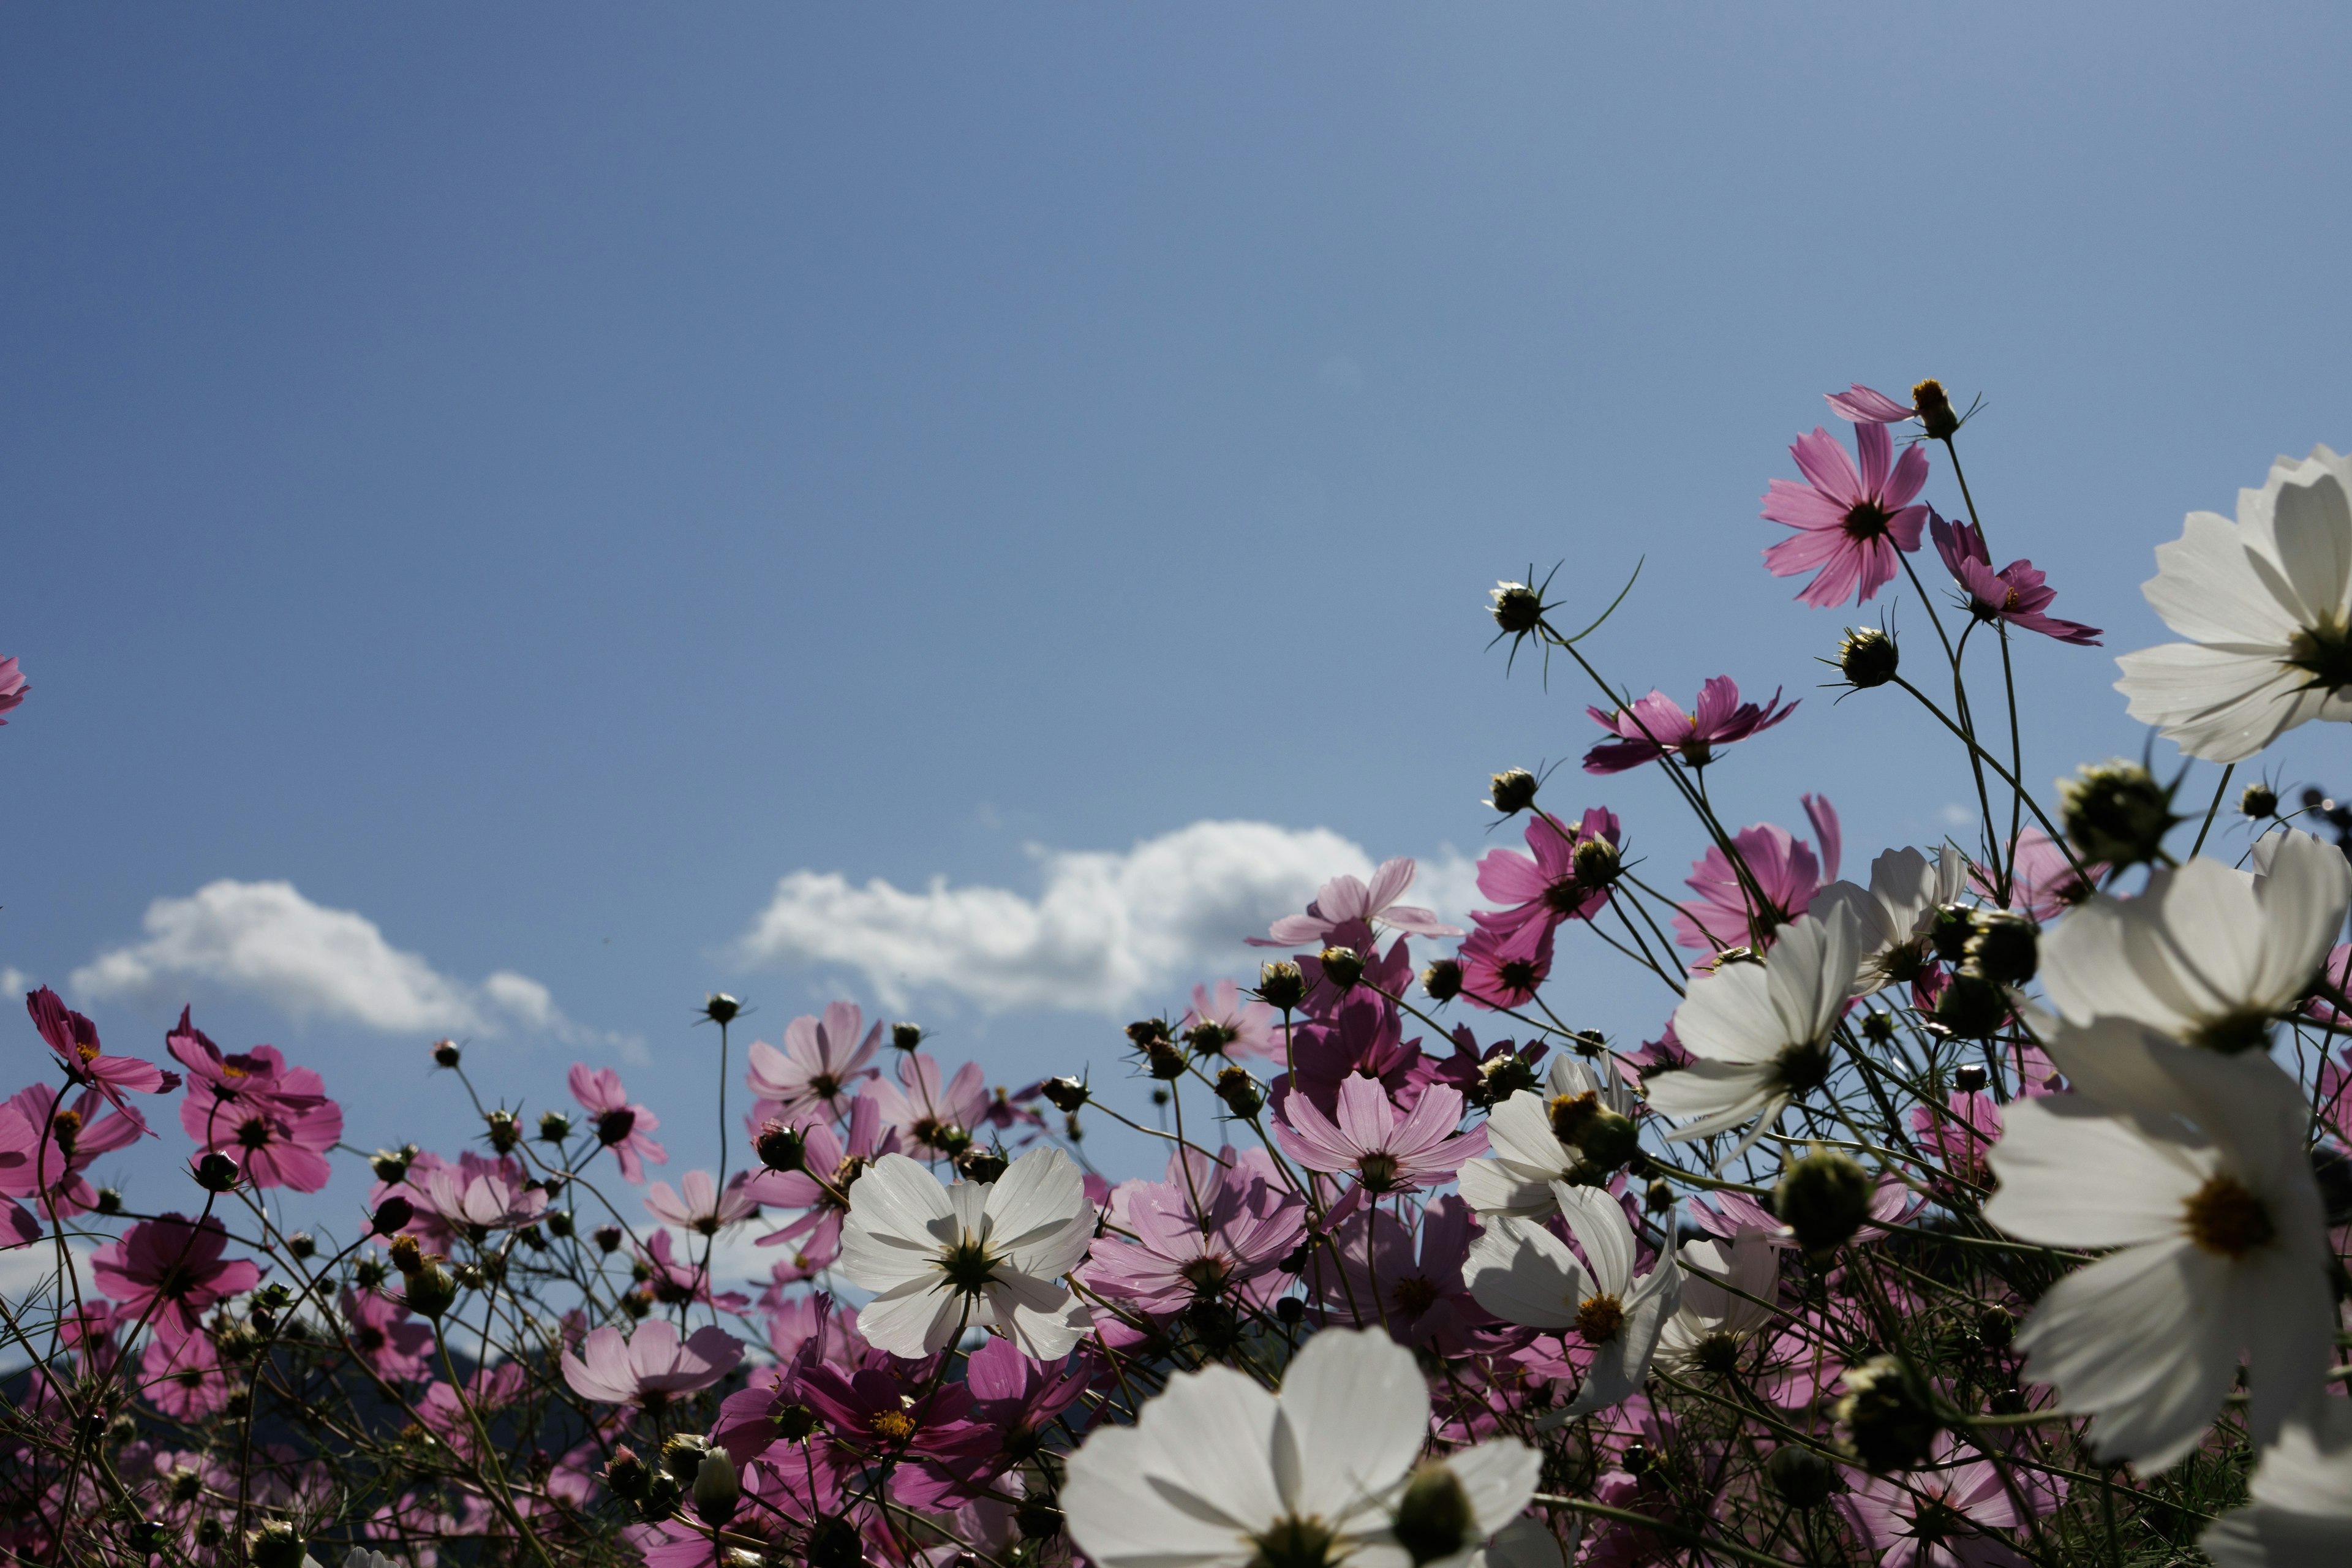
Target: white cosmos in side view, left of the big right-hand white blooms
1760,1031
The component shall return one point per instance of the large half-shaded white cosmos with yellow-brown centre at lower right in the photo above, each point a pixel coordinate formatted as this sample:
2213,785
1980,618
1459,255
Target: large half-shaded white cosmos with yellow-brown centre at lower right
2191,1165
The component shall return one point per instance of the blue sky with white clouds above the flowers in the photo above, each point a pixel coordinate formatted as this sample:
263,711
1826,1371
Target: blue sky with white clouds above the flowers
537,478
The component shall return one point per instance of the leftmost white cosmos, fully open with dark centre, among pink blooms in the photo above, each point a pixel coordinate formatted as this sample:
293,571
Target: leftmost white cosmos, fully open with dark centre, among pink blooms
982,1254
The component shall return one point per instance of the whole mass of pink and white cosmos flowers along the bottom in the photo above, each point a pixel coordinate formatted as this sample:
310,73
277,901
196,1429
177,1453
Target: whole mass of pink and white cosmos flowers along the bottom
1993,1212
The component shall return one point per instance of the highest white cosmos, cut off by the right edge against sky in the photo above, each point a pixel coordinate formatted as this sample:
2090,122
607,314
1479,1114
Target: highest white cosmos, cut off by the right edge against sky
2266,608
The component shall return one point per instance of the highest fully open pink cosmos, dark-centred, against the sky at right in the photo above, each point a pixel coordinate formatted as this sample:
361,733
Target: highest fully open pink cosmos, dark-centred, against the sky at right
1850,525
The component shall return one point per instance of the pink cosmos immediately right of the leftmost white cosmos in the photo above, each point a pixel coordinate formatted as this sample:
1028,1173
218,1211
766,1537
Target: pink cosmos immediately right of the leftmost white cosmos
1212,1231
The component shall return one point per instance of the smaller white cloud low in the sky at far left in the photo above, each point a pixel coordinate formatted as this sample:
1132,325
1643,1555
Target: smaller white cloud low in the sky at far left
267,942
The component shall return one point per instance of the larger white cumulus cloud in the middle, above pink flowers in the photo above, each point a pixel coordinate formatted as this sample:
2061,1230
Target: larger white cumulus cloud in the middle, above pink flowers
1104,932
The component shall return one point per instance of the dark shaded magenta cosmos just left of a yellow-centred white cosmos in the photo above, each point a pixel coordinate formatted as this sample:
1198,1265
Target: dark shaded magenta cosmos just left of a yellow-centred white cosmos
1415,1292
